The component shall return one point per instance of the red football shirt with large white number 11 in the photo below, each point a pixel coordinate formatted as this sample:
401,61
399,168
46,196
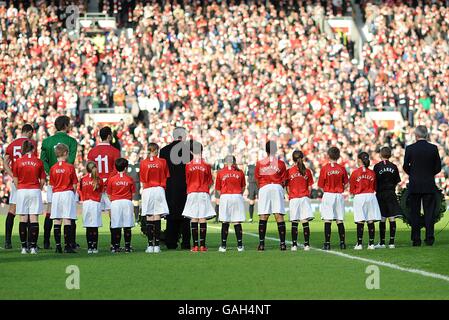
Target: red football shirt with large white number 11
104,156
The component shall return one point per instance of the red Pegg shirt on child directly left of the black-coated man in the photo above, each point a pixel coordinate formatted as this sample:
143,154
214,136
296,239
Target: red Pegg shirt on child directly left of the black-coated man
154,172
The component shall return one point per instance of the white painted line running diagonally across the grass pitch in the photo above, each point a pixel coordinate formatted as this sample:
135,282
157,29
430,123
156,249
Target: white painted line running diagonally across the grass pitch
348,256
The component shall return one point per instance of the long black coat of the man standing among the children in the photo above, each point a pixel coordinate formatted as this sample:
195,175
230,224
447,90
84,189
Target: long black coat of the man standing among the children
176,191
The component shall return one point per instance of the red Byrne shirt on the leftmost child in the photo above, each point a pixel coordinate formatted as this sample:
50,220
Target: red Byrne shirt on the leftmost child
29,170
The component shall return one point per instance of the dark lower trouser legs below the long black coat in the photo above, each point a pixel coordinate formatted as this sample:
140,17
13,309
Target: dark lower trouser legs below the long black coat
177,226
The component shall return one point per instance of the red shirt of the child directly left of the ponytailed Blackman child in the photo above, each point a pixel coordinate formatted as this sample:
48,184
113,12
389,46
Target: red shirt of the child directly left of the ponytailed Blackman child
270,171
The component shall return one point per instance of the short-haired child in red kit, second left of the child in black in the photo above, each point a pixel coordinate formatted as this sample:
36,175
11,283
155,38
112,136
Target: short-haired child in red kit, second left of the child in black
333,180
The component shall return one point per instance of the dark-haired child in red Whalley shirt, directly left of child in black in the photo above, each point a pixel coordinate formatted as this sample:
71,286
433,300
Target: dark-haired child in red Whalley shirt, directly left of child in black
362,185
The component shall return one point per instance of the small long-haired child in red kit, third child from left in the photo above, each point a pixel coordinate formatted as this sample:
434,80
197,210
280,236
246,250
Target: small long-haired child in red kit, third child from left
90,190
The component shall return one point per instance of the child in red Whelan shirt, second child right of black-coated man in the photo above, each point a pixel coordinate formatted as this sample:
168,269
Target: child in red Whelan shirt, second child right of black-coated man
230,183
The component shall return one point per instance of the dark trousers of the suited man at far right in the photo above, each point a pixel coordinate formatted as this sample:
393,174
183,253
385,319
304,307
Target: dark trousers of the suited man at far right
429,201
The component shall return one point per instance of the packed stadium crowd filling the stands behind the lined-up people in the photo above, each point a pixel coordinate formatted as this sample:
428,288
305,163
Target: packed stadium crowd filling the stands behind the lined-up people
234,74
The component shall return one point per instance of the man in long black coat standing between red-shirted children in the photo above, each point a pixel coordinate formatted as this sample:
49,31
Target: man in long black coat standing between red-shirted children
177,154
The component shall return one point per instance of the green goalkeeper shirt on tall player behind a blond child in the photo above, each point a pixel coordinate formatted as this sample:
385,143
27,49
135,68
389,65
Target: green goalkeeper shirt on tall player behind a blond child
48,155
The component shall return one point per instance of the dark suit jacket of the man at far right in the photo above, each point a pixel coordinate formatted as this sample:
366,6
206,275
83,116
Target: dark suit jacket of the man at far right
422,162
